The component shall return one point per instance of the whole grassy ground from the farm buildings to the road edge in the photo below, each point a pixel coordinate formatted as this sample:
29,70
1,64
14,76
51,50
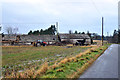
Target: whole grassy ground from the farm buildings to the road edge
47,62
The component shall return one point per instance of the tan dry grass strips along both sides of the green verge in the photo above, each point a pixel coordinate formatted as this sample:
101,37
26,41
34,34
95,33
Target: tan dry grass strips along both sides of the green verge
41,71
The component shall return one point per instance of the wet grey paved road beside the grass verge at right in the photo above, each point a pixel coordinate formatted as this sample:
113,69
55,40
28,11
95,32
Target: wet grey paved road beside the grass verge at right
106,66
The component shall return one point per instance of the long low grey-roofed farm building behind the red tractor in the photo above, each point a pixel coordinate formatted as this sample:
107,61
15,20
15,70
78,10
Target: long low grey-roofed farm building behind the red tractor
27,39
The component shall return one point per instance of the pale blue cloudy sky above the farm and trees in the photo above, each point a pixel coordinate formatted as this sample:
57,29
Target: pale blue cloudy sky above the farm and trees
80,15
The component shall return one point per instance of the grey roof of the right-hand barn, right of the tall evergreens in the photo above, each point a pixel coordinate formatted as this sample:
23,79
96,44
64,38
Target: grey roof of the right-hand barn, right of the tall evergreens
74,36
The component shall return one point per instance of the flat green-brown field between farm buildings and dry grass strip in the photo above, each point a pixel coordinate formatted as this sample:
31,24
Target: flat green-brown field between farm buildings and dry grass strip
19,59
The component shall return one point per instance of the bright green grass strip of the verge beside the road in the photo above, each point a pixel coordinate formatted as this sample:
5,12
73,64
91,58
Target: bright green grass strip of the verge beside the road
72,67
